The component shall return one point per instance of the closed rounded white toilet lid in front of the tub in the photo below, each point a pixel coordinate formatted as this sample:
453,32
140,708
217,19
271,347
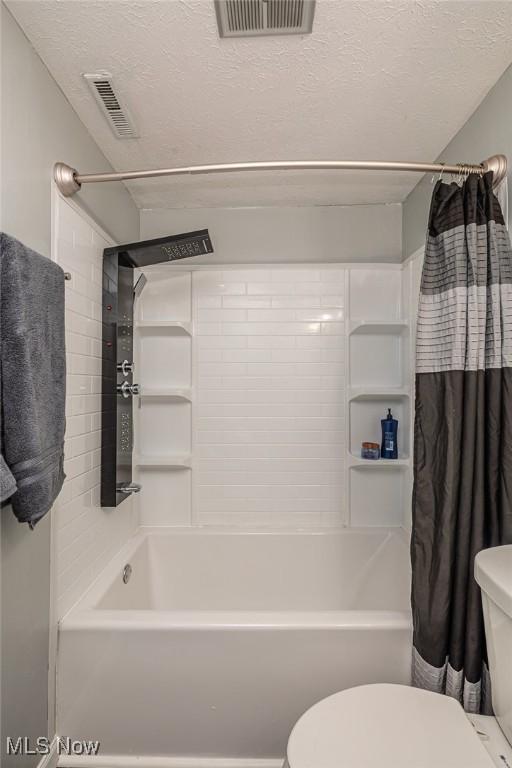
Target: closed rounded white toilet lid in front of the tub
386,726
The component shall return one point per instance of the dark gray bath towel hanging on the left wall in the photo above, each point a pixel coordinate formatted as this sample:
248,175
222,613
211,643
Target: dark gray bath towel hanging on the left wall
33,379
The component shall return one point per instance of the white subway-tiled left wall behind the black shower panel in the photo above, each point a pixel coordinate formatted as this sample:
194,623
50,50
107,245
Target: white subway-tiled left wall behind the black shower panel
87,536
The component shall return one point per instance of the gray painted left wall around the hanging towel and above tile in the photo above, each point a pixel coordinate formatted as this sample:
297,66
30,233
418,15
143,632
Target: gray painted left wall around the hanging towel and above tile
39,127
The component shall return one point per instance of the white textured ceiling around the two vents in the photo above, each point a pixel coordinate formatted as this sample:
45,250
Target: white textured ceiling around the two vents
376,80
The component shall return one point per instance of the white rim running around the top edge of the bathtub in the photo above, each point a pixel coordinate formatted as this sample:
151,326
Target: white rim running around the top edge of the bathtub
84,614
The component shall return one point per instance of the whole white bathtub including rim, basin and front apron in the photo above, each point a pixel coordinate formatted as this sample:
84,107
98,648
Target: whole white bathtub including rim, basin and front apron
220,640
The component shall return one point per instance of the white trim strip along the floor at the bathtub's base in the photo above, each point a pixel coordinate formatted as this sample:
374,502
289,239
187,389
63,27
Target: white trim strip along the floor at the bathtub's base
129,761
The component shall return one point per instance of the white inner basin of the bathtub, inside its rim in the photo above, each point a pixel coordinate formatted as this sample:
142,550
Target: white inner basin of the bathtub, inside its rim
226,571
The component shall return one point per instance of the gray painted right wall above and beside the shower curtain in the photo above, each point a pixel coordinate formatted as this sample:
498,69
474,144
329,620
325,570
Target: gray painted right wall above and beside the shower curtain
487,132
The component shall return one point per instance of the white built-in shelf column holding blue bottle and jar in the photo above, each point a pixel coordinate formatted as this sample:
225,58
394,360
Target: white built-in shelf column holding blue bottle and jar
378,349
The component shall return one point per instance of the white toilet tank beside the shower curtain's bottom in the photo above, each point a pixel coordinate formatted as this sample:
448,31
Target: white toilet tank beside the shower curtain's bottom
493,572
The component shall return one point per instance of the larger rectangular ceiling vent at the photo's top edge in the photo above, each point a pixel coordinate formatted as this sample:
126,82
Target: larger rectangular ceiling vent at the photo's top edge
244,18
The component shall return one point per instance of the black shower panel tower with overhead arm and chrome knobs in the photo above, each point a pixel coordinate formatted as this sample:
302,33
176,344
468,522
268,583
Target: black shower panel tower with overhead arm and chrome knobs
118,384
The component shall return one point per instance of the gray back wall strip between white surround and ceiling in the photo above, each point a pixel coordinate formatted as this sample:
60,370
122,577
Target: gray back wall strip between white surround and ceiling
363,233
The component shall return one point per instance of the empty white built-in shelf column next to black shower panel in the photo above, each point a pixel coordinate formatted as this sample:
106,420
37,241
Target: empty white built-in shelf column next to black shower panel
163,458
